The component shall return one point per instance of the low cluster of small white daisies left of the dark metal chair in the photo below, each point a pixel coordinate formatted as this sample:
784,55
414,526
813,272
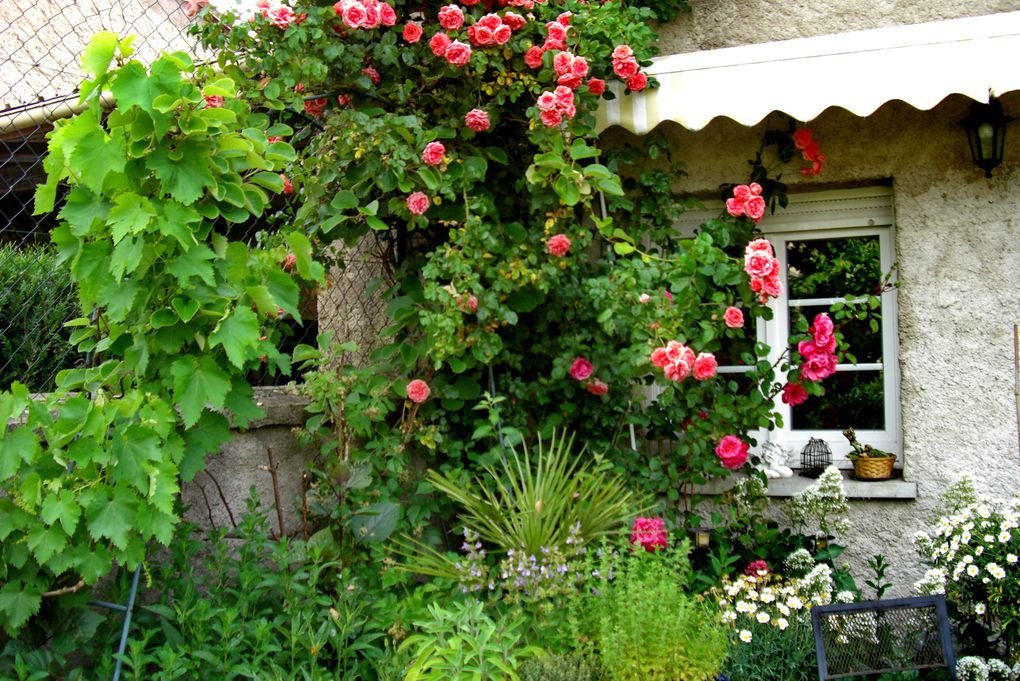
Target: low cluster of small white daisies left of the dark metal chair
769,600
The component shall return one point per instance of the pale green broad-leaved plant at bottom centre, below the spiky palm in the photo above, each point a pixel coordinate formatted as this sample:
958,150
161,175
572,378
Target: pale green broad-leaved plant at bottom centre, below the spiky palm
464,643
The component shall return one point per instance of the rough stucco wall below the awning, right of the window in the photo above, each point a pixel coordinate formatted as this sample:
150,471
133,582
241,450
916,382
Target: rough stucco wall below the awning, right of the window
958,244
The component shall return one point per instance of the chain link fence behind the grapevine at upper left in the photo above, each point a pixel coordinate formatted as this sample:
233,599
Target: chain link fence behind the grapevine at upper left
41,43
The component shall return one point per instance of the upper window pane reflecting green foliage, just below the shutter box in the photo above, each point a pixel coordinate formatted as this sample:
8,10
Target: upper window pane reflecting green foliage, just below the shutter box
834,268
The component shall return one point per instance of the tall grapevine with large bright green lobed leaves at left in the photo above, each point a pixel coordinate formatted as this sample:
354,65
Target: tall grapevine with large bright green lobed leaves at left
91,474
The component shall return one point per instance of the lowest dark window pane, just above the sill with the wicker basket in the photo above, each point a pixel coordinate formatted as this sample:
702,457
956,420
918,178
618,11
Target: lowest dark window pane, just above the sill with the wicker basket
853,399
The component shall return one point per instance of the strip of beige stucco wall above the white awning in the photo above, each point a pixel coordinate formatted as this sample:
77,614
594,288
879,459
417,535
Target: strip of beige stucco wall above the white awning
713,24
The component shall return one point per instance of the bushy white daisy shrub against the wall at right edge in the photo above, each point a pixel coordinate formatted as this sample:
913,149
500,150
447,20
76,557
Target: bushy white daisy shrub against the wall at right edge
974,552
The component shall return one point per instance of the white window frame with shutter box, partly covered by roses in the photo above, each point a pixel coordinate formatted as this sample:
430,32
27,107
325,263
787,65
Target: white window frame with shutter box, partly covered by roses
832,215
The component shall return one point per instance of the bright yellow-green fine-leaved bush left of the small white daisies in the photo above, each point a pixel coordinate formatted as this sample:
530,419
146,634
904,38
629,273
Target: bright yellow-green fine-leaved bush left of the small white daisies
641,622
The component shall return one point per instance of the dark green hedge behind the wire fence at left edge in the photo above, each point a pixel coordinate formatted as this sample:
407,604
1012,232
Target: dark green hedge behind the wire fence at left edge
37,297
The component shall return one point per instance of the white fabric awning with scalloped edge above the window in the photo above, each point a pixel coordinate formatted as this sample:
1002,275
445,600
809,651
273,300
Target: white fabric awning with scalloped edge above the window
921,65
